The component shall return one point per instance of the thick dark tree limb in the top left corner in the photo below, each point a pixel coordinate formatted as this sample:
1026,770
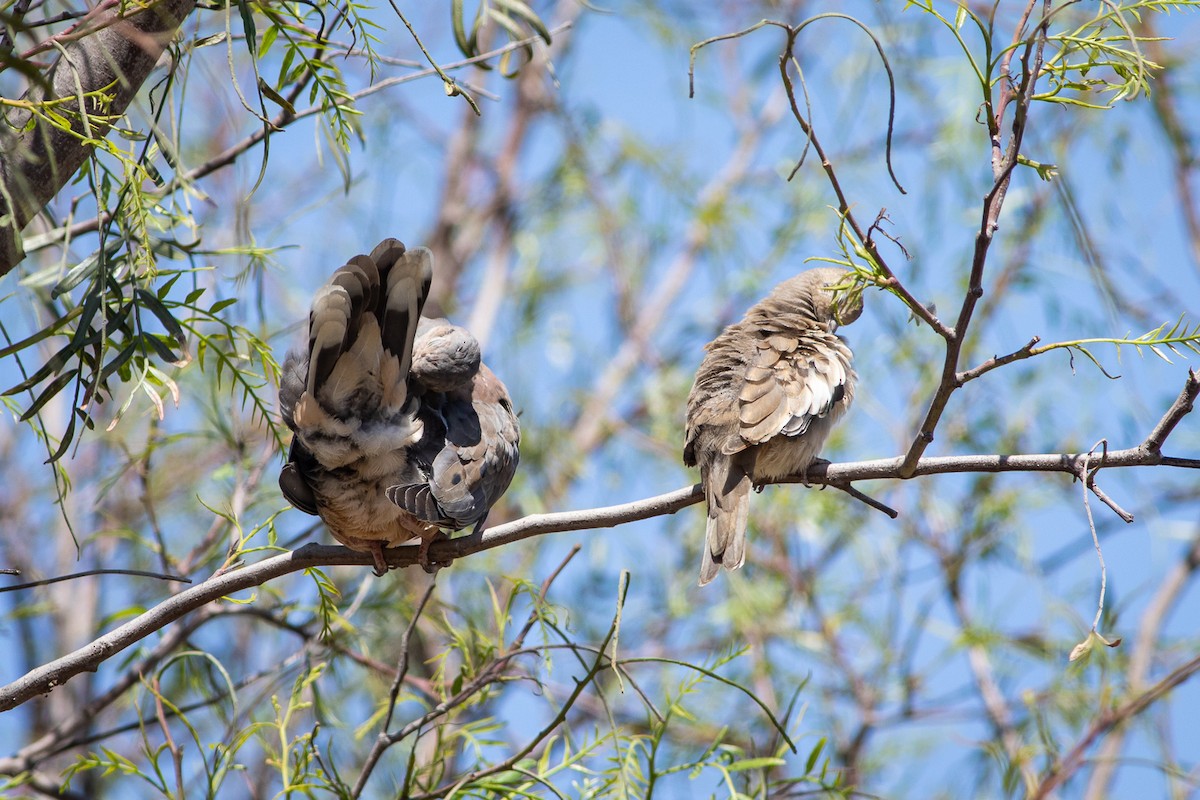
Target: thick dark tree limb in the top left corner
39,161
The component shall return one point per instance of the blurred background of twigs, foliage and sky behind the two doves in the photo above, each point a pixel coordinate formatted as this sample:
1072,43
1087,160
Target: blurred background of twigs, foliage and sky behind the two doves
595,228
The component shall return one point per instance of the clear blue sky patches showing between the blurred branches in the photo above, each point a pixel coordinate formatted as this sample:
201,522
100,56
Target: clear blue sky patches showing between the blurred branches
634,89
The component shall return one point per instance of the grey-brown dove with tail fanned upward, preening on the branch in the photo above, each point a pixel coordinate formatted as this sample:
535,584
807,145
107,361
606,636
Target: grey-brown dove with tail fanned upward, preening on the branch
401,431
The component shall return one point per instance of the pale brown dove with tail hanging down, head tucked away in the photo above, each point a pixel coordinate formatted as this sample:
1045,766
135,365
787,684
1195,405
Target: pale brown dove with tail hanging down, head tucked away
766,398
